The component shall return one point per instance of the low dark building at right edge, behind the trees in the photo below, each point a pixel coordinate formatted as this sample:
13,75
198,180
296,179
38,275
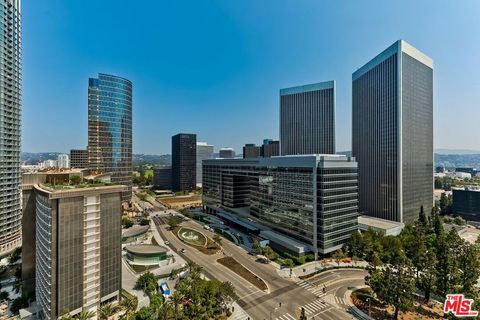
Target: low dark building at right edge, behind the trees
466,203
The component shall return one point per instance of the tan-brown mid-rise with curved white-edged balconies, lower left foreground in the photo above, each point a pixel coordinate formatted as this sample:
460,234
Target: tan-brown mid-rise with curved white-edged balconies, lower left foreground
71,254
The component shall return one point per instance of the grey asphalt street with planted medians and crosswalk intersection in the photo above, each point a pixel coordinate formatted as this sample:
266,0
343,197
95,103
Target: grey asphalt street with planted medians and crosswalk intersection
285,296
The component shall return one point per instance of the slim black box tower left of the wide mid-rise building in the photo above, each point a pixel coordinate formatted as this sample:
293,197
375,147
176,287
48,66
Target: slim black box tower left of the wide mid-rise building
184,162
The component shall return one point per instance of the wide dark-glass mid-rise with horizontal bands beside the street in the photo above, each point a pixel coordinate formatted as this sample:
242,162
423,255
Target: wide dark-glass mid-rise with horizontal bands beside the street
311,199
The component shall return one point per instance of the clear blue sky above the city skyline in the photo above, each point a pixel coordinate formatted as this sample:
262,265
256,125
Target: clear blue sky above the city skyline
215,67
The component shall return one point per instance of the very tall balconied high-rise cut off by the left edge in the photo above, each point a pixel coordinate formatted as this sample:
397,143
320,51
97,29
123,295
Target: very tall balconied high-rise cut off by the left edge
10,105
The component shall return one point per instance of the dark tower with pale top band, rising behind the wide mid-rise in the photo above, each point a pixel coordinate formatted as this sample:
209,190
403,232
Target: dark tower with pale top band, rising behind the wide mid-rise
307,119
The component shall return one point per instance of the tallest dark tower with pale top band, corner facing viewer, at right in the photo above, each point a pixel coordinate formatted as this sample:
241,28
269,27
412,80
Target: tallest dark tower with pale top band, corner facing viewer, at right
392,133
